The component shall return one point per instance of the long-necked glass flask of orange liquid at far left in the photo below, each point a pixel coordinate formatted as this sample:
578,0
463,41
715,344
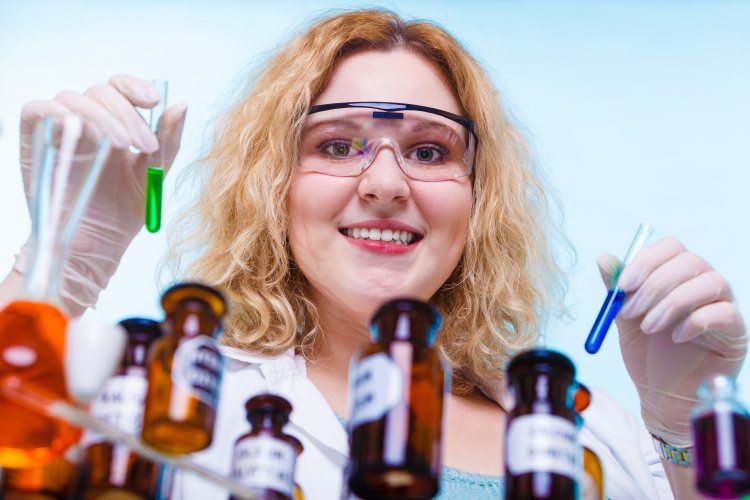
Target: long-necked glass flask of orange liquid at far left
33,327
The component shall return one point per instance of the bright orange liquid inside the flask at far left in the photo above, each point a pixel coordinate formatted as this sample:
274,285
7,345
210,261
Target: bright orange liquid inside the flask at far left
32,344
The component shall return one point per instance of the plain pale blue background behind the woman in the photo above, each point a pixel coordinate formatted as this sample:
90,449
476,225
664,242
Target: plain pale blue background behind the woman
637,111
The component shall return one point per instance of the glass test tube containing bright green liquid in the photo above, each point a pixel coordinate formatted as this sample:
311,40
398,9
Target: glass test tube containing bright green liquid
155,171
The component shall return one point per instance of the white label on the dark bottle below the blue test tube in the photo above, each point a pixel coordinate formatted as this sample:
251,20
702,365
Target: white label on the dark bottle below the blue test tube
543,443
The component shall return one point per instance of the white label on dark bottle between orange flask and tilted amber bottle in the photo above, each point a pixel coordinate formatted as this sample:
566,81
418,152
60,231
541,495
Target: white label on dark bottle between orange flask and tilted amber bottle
119,404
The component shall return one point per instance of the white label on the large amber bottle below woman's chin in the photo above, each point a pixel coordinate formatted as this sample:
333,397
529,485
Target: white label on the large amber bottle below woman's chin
376,388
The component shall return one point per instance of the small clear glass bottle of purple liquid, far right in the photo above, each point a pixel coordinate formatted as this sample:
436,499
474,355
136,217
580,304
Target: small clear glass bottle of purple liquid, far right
721,430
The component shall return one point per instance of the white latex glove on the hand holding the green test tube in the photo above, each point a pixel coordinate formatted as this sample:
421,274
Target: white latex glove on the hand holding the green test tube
116,210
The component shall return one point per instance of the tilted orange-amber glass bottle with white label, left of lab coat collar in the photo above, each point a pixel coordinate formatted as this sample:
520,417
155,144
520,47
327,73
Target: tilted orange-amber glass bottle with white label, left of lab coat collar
184,371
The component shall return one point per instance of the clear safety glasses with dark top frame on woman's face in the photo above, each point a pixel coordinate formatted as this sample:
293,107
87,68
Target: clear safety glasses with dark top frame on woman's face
343,139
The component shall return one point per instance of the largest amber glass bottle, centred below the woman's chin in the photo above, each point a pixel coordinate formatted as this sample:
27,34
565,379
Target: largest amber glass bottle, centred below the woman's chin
396,389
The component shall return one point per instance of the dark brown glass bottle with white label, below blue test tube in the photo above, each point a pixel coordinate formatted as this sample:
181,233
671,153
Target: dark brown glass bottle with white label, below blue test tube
542,455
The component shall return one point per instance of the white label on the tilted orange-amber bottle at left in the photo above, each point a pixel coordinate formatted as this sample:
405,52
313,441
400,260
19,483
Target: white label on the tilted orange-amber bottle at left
196,367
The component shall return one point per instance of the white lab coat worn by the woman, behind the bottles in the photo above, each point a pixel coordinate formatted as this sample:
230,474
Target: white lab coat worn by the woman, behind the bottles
632,468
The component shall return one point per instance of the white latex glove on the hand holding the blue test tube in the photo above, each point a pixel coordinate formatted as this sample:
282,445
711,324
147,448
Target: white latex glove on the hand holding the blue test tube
678,325
